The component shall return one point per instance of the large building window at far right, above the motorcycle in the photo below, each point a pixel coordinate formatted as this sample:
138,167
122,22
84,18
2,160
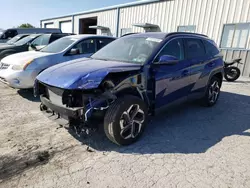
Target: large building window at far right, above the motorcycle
235,35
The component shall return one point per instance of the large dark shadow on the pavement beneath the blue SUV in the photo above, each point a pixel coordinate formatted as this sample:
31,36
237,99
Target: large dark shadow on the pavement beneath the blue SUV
188,128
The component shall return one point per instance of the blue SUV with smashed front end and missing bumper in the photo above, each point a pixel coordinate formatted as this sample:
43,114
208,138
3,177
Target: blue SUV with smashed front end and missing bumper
131,78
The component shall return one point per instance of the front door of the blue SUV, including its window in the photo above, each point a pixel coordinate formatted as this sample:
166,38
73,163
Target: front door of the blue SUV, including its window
172,82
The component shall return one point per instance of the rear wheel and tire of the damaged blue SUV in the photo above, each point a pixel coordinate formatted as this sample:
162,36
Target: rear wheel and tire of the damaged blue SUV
212,93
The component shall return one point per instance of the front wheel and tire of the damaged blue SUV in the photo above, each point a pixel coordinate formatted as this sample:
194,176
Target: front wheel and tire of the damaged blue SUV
121,125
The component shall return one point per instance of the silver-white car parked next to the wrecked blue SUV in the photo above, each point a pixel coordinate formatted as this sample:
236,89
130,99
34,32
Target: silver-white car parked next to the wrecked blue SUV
20,70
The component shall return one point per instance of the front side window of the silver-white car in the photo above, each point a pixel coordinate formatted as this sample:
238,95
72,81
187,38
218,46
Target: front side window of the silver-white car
86,47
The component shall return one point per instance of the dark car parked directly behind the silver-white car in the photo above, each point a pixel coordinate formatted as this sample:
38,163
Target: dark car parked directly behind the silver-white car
34,41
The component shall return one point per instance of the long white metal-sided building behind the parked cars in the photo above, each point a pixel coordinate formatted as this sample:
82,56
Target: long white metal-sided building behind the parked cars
225,21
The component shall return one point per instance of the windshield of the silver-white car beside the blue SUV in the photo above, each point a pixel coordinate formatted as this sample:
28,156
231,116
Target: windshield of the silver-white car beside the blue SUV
59,45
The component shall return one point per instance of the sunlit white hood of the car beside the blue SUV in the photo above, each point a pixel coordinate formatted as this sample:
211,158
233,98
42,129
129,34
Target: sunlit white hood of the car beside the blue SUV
23,57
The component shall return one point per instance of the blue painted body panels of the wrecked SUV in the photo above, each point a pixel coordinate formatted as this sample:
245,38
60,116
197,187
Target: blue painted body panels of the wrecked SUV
167,83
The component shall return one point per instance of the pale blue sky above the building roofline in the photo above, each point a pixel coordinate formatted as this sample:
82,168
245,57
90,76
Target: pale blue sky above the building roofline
16,12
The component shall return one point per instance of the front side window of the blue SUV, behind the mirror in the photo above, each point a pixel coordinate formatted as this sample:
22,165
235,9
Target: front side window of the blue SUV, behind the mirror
173,48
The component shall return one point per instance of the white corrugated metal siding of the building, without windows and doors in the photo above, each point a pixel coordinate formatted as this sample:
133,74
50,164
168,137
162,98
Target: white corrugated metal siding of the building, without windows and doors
208,16
